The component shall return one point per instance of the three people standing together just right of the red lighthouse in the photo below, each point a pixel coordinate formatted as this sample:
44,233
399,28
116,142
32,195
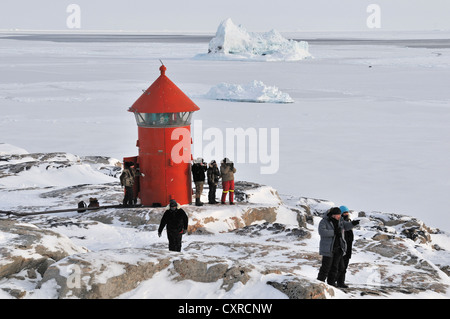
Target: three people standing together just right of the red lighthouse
213,174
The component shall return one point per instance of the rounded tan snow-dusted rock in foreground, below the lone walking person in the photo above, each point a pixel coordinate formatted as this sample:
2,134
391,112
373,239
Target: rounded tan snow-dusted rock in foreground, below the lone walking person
104,275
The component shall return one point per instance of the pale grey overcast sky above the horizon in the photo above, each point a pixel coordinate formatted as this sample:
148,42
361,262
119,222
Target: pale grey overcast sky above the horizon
206,15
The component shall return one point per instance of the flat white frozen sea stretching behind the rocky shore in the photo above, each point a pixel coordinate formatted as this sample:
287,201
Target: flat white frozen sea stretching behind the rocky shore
369,126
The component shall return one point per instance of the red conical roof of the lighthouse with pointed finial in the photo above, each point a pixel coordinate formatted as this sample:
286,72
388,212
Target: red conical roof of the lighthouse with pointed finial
163,96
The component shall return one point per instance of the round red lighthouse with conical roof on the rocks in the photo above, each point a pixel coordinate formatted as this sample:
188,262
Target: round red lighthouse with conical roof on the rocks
163,115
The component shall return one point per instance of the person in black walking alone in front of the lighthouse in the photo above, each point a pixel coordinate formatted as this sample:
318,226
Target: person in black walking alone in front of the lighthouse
177,222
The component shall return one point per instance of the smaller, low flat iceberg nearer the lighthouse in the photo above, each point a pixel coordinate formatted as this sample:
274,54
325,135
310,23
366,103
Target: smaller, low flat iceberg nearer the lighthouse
255,91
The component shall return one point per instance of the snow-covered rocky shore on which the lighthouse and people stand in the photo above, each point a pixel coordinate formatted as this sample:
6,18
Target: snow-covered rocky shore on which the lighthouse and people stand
265,246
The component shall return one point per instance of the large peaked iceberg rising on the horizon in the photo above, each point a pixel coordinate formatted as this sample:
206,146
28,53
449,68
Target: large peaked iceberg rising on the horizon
234,42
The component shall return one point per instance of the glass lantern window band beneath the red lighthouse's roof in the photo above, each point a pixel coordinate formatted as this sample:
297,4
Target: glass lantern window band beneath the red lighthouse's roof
163,119
